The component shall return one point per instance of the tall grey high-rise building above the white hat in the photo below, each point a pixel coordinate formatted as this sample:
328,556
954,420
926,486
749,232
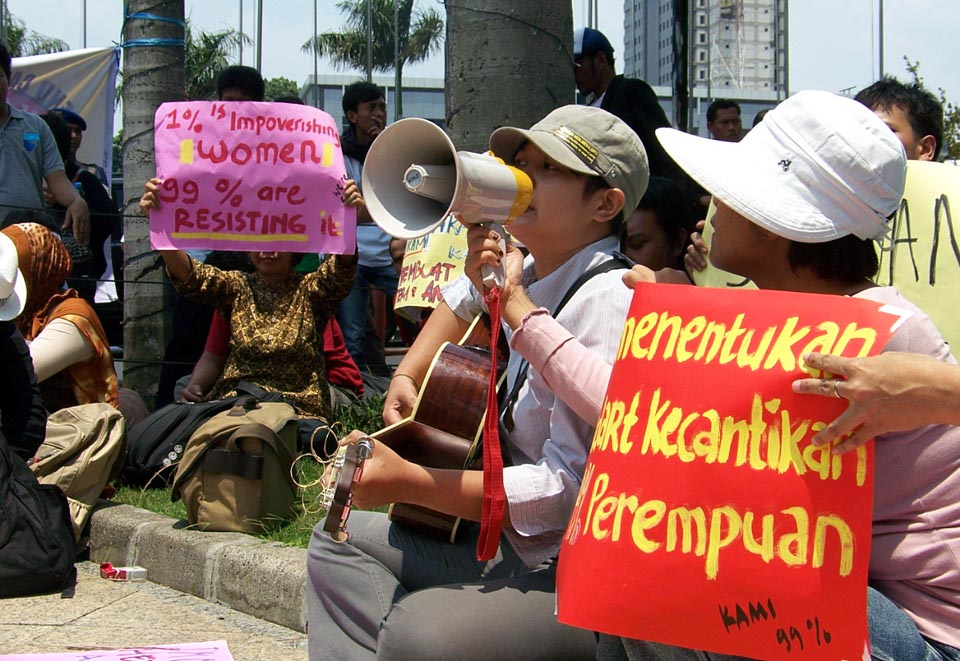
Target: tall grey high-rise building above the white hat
737,49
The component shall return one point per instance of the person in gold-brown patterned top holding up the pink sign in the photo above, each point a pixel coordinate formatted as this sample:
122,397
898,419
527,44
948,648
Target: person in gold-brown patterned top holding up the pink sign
277,315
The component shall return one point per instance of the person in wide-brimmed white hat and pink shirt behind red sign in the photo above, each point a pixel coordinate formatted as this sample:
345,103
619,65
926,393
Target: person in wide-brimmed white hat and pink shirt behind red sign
800,202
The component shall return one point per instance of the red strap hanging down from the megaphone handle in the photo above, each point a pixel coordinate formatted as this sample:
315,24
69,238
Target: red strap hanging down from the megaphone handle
494,498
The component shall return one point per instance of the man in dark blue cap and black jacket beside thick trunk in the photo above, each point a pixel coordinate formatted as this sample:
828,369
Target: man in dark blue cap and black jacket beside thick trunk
630,99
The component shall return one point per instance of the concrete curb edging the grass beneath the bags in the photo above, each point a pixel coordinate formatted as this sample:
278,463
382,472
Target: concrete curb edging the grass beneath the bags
263,579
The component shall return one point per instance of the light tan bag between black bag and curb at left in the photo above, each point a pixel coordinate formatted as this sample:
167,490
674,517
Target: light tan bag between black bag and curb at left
83,451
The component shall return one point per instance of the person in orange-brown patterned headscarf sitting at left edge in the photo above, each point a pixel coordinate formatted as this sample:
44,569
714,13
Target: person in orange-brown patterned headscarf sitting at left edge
71,355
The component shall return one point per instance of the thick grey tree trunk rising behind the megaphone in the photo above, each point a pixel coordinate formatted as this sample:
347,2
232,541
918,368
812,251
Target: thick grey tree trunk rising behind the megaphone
508,63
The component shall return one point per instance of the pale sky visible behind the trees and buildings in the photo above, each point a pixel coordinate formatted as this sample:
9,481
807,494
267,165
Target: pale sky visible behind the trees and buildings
833,43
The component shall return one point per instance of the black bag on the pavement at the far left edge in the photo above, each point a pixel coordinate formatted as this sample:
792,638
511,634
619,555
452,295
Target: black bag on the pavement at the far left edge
37,547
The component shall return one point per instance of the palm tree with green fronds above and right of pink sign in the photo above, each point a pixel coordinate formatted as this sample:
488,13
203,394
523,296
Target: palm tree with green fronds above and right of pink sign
420,34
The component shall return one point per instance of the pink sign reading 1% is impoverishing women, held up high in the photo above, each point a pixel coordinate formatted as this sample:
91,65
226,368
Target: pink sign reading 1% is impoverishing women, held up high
250,176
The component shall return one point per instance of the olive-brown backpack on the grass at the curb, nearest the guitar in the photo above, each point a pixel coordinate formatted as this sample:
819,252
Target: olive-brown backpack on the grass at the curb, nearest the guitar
235,472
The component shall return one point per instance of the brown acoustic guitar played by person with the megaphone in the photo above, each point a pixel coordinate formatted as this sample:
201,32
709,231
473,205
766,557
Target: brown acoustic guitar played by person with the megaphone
443,431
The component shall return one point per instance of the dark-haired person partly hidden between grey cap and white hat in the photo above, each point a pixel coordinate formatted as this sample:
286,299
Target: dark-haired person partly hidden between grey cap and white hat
658,232
